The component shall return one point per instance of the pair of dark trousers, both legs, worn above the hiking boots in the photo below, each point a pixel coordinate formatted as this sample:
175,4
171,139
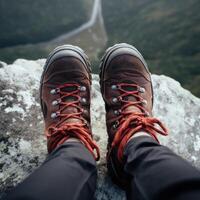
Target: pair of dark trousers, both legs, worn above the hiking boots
70,173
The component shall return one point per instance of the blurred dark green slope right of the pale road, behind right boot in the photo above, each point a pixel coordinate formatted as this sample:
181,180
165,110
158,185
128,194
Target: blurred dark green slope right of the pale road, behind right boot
166,32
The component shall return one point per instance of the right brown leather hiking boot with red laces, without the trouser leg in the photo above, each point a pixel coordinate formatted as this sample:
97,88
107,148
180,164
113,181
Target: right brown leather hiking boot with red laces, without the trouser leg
127,91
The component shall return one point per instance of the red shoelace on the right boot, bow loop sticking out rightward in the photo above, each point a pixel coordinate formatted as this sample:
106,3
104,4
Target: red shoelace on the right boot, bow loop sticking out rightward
133,122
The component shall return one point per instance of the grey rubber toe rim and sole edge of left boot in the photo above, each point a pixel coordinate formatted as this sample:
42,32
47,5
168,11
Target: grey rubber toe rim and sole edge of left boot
64,51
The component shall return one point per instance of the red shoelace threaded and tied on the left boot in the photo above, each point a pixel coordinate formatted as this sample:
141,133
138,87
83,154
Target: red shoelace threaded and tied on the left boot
63,130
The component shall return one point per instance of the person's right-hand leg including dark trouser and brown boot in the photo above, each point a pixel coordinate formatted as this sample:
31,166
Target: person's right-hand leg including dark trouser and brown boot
147,170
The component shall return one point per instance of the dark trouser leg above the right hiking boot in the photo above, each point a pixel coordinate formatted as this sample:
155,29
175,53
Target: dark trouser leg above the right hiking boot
158,173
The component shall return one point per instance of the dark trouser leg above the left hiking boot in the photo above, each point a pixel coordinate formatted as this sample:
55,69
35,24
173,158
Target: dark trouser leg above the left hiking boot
68,173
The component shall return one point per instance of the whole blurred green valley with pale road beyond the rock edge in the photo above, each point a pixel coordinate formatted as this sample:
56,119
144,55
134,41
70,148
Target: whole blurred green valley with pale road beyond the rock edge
167,32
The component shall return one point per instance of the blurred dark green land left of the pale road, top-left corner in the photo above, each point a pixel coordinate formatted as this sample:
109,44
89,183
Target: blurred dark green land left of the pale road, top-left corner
27,21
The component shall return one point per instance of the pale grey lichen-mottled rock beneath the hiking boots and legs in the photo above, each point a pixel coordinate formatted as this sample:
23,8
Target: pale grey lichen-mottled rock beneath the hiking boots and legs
22,142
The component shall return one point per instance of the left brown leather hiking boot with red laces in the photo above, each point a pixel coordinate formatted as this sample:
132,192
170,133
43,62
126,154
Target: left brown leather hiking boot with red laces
65,98
